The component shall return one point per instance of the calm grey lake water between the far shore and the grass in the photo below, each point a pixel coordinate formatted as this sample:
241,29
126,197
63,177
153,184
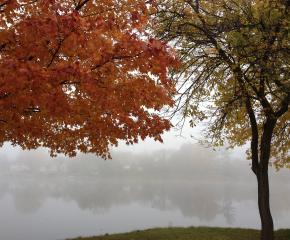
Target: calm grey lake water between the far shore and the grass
64,208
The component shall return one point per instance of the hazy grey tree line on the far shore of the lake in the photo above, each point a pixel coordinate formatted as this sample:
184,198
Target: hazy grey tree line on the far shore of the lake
189,161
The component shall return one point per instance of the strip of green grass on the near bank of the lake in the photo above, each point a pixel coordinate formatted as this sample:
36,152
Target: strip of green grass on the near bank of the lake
196,233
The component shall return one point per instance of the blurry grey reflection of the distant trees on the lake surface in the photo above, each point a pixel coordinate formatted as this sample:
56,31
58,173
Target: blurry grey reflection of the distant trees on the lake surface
200,199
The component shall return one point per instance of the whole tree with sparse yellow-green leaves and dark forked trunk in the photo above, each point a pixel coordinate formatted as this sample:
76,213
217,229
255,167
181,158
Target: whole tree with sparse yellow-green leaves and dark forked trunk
235,77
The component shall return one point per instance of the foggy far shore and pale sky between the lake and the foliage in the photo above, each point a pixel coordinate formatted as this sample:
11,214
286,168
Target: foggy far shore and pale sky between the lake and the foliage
179,156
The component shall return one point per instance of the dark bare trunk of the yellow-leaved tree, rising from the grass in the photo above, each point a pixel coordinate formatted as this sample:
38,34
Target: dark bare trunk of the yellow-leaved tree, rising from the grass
261,172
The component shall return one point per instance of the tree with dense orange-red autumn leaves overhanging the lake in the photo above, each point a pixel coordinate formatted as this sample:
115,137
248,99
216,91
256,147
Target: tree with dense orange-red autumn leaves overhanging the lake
81,75
